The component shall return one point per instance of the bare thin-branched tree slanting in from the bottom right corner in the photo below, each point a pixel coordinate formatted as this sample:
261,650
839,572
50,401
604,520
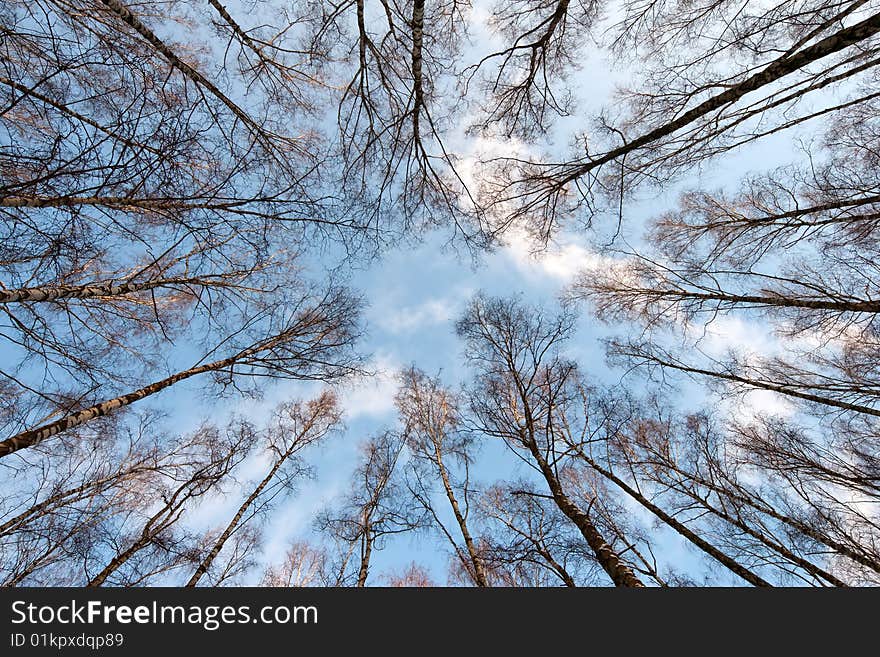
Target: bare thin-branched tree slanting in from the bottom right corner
687,464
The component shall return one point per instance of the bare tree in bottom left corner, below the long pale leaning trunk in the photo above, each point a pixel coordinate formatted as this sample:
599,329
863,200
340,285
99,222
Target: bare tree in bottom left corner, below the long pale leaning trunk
79,492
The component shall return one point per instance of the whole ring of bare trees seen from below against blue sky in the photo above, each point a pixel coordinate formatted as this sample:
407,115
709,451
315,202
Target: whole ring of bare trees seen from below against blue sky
413,293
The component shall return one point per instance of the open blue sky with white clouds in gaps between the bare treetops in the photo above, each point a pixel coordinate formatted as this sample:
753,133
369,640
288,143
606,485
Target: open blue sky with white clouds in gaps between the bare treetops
415,294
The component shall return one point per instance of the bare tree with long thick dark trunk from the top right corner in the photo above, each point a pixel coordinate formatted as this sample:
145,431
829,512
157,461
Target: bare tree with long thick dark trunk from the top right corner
680,118
